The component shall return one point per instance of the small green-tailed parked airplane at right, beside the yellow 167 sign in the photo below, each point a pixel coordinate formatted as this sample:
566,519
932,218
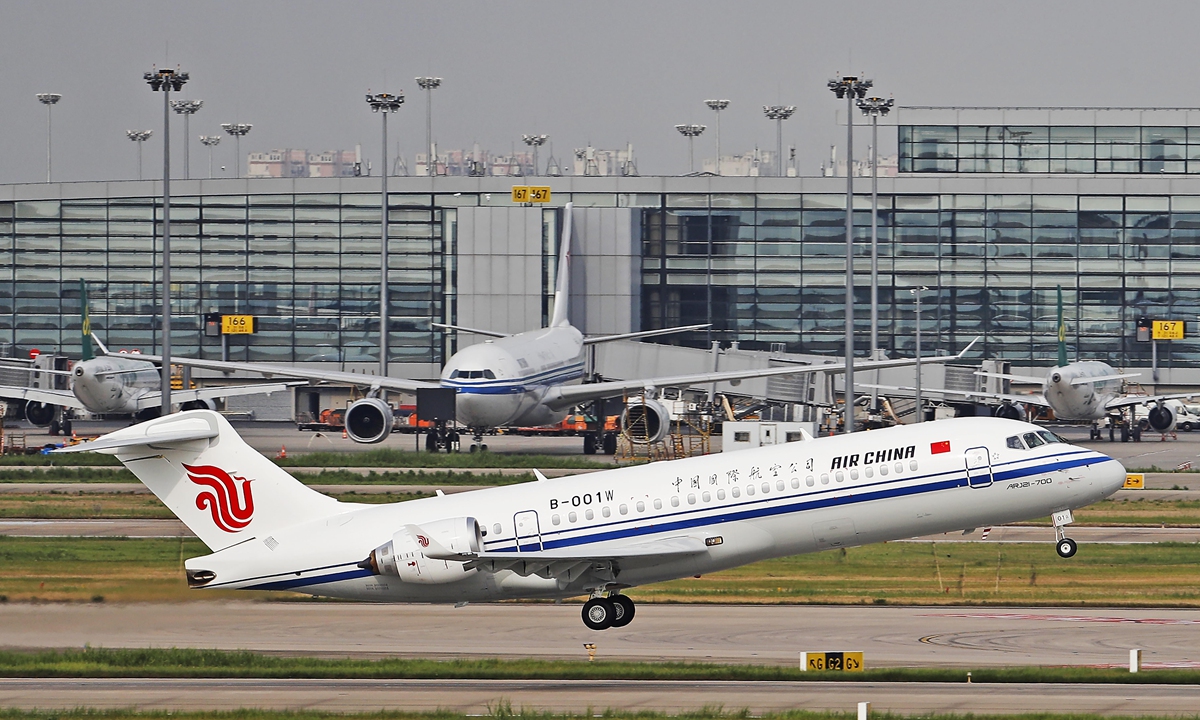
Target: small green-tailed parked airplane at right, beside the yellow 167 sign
1083,391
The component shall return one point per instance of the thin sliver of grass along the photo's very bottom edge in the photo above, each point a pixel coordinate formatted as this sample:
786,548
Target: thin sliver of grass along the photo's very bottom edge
503,710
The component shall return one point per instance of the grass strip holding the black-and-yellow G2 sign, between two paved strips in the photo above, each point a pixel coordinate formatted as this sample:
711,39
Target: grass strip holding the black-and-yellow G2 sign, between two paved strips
183,663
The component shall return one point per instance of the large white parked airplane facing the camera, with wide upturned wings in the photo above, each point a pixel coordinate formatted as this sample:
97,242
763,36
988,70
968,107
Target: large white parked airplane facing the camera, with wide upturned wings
525,380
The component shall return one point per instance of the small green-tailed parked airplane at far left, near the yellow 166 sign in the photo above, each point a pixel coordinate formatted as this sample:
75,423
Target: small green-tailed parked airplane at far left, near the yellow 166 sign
113,383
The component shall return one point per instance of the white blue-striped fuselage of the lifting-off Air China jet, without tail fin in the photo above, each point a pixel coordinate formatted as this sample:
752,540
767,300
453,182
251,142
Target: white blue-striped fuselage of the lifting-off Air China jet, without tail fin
747,506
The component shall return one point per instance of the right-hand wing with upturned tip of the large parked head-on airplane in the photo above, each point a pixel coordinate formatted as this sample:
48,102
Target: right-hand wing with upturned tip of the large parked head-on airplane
567,397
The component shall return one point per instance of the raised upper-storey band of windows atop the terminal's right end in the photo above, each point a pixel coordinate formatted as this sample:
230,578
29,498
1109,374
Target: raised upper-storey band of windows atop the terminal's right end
1049,149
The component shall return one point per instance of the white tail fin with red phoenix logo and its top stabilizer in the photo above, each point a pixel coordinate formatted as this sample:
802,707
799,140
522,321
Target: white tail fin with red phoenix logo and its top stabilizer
224,490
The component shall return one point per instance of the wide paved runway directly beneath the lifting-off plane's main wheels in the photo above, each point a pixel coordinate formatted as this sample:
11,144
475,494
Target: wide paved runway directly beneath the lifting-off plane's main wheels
777,634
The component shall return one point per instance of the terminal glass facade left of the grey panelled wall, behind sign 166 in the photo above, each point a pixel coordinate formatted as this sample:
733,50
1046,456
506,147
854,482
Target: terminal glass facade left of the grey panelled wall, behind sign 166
307,266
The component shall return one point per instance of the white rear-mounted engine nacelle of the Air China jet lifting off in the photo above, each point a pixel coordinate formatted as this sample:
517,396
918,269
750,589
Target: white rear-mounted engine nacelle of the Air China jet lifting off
405,555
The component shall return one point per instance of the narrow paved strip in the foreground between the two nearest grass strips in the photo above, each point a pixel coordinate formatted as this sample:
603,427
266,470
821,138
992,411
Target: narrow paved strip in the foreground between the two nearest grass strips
561,697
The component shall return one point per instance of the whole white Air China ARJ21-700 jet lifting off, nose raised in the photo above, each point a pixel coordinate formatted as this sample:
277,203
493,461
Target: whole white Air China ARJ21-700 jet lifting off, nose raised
603,533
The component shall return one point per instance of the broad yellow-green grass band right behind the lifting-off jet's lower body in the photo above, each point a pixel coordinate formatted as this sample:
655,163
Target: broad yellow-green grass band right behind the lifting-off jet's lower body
964,574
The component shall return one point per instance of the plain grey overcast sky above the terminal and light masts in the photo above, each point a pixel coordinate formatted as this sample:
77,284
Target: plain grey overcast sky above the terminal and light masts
597,73
